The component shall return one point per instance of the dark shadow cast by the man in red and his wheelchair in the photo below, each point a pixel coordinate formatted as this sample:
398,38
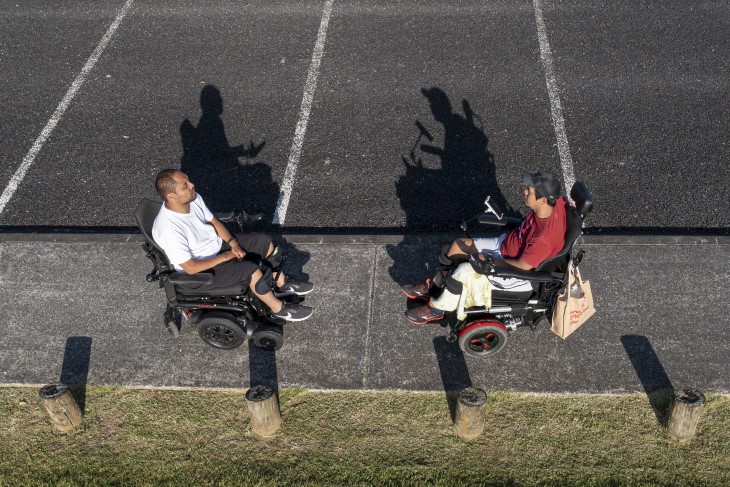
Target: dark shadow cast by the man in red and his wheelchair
444,185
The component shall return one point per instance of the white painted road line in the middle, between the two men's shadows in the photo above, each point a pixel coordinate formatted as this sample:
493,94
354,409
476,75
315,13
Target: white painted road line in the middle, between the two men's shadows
296,149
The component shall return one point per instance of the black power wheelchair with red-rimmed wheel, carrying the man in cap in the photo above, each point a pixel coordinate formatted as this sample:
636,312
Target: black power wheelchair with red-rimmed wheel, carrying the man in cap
484,331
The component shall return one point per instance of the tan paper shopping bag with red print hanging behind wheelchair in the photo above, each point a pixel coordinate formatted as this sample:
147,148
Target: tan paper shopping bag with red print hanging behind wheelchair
574,305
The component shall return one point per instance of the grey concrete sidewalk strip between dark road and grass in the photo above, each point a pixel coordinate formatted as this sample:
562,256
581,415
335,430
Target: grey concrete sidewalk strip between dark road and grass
661,321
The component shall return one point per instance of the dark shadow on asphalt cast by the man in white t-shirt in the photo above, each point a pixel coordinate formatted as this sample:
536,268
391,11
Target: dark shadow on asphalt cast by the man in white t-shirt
222,173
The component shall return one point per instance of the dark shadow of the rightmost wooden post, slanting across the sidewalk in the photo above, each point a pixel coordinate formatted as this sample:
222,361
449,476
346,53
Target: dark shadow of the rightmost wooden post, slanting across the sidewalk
651,374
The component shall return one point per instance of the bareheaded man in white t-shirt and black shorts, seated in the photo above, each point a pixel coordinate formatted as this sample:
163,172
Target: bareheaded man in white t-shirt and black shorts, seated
195,241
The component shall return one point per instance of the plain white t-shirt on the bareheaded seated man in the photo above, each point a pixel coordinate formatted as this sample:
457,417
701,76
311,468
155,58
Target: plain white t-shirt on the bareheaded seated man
185,236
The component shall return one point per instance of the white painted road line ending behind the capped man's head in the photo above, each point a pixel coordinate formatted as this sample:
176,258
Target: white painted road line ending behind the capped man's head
566,161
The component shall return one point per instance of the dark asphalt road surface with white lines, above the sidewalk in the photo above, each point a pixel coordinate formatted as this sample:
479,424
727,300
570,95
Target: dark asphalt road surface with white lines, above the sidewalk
643,91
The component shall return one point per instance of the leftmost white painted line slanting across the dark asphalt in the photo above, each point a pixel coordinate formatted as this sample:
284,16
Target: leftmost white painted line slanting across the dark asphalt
60,110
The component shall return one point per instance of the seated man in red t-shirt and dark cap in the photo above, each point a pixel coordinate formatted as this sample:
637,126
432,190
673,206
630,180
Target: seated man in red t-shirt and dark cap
540,236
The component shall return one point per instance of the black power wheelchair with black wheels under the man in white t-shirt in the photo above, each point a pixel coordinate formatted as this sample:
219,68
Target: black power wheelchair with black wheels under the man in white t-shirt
224,317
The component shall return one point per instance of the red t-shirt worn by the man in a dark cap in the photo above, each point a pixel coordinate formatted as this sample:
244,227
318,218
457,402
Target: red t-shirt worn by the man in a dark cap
537,239
